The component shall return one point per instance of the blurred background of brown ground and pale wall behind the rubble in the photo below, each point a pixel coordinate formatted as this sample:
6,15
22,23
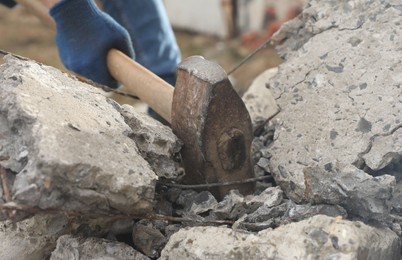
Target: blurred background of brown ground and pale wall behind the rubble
224,31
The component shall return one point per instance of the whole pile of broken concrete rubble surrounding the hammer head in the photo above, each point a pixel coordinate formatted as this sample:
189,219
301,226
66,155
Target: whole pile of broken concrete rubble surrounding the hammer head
83,177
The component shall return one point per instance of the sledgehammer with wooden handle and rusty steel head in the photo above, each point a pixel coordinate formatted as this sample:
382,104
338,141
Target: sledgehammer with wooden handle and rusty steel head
204,112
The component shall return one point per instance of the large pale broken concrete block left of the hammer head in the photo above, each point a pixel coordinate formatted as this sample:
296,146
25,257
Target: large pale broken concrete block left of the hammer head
67,145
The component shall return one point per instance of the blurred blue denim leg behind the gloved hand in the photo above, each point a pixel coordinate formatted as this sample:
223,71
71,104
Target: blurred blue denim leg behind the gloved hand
151,33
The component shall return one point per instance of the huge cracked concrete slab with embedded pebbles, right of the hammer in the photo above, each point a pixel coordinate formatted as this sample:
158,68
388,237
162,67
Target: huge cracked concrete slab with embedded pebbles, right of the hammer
339,91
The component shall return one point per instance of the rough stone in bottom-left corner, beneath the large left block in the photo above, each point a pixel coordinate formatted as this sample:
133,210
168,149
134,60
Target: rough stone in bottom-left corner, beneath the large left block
33,238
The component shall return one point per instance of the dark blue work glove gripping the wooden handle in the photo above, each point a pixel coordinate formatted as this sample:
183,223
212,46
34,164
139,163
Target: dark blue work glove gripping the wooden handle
85,34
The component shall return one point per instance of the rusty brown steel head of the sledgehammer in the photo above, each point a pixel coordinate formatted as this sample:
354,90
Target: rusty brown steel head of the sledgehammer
214,124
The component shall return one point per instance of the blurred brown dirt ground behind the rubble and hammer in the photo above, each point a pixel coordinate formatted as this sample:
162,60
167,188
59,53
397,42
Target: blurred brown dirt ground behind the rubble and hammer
23,34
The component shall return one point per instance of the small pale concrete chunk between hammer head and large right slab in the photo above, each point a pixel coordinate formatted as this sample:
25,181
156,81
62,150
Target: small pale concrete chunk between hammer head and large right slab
258,99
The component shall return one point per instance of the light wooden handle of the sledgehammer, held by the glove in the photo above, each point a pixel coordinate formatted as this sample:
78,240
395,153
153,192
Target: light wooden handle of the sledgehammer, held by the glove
138,80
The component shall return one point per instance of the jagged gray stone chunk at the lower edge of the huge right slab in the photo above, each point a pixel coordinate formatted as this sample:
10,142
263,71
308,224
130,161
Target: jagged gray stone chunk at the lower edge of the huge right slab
359,193
